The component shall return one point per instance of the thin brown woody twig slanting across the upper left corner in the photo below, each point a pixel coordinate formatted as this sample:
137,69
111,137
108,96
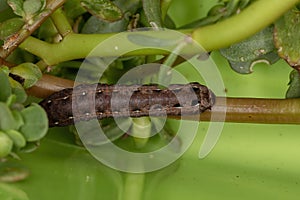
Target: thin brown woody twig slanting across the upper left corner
15,40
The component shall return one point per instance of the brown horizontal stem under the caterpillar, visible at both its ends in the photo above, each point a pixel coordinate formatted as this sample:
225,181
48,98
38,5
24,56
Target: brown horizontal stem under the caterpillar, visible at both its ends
240,110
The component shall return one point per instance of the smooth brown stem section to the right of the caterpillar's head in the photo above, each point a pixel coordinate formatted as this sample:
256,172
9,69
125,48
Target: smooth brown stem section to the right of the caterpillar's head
252,110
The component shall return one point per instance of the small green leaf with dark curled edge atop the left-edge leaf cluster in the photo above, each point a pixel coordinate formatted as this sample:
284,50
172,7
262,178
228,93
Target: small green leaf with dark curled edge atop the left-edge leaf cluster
29,72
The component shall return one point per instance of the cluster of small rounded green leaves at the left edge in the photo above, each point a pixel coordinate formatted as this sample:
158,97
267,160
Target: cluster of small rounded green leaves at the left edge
20,126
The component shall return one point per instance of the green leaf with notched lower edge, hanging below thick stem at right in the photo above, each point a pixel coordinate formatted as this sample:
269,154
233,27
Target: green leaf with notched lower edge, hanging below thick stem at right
258,48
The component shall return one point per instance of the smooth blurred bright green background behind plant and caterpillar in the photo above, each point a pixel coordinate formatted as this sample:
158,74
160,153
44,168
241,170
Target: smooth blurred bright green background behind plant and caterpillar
250,161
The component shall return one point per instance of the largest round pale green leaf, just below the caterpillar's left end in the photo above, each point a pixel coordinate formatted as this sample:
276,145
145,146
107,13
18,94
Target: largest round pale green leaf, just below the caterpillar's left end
35,122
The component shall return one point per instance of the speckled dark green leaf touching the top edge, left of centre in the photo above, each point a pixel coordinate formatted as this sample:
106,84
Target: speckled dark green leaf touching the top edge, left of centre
103,9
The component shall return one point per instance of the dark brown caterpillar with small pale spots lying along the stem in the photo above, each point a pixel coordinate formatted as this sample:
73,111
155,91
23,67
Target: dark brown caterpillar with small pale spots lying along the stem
86,102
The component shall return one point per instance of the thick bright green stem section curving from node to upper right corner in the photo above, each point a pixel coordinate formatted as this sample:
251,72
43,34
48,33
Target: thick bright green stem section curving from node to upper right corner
254,18
